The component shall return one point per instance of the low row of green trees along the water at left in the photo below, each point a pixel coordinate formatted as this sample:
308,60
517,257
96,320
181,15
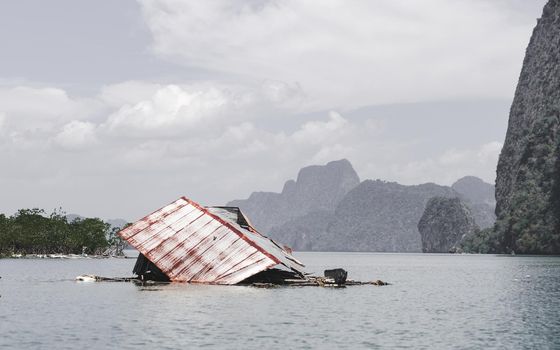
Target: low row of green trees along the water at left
33,231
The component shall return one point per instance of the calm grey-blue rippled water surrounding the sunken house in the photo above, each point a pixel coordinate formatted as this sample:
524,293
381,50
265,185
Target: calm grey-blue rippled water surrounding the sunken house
434,302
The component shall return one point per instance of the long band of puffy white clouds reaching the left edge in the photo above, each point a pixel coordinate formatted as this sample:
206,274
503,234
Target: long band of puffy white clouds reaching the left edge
33,117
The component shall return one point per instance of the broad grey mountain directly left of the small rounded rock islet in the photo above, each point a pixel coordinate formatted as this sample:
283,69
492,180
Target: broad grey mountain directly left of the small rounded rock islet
381,216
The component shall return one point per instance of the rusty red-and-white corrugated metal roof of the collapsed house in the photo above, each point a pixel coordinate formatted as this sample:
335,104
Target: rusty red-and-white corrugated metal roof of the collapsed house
190,243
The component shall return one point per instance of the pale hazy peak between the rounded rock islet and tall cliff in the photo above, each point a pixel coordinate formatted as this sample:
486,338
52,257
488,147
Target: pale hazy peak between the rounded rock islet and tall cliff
479,197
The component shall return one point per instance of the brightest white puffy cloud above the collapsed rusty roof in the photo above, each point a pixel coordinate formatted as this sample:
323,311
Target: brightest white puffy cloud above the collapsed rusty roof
180,110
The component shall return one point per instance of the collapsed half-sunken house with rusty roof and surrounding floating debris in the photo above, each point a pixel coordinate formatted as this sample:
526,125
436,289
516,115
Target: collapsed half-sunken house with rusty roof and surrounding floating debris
186,242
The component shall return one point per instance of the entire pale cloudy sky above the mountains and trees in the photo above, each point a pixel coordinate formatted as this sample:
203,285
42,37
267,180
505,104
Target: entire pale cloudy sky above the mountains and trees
116,108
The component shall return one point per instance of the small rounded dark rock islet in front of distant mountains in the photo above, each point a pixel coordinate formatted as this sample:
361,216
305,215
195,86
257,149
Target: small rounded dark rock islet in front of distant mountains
444,223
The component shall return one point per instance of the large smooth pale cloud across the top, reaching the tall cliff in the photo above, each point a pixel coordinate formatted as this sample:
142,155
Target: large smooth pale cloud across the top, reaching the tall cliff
350,54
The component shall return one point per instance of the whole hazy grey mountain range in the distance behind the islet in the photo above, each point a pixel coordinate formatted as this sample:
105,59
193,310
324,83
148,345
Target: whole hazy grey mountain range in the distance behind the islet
328,209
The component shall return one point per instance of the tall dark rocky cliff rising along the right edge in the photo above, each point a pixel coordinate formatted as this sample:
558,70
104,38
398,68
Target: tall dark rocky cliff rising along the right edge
528,174
